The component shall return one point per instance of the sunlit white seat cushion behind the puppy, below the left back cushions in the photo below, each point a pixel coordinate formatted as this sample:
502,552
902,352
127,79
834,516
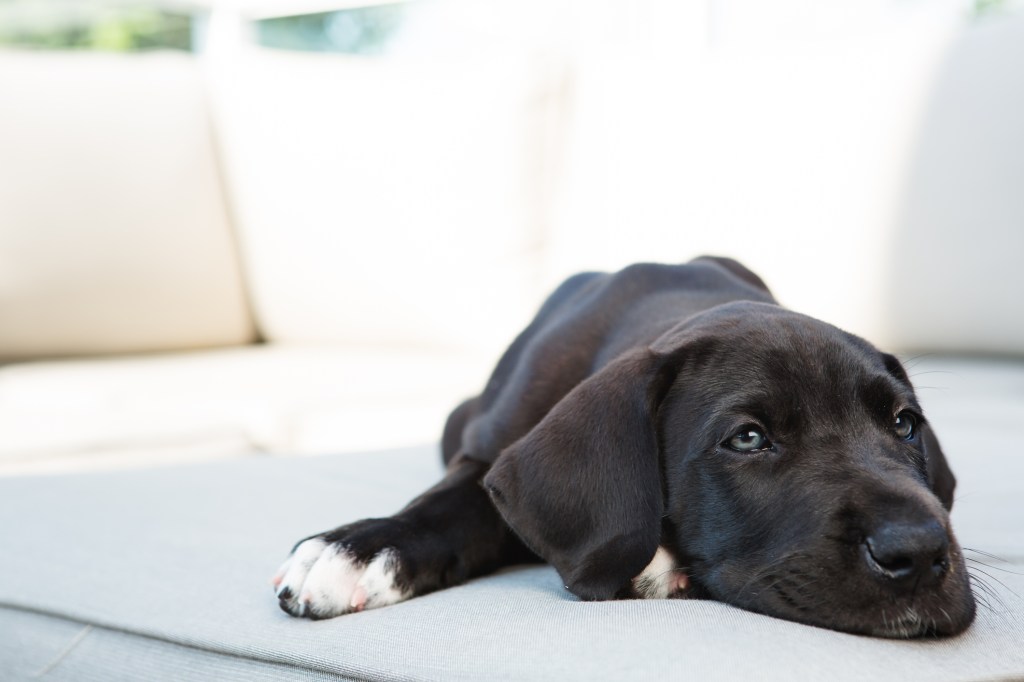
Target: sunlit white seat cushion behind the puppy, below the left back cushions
129,412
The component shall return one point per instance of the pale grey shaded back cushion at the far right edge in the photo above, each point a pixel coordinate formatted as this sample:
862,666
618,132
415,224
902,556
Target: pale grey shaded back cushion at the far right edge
957,280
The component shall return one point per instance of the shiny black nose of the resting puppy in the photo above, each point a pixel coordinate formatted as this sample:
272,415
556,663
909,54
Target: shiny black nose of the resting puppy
911,555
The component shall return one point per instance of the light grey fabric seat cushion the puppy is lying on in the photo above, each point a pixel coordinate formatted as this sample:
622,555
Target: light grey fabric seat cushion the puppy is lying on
164,575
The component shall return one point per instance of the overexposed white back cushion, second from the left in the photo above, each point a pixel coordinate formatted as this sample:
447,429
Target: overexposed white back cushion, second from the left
394,200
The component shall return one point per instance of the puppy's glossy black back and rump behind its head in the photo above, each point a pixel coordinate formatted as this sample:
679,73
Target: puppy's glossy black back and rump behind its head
589,321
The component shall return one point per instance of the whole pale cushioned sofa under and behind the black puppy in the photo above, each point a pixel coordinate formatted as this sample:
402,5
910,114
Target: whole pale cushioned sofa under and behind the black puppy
239,294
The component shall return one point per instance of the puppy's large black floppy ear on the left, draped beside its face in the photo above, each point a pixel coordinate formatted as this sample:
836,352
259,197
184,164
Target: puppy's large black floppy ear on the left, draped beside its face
584,488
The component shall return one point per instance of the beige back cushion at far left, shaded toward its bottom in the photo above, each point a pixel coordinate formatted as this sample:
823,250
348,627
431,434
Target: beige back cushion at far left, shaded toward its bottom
114,232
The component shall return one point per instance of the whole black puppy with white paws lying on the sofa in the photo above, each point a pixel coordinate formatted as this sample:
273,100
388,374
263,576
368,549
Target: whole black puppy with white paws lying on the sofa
670,431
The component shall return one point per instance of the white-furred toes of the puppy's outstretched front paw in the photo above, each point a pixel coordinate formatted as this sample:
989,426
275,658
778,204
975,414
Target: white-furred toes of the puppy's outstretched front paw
322,580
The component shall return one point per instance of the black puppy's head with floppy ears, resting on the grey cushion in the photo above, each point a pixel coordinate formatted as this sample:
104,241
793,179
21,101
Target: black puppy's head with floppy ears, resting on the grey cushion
786,463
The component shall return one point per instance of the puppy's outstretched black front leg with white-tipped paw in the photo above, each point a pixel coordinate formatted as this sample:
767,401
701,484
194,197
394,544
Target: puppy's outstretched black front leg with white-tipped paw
448,535
